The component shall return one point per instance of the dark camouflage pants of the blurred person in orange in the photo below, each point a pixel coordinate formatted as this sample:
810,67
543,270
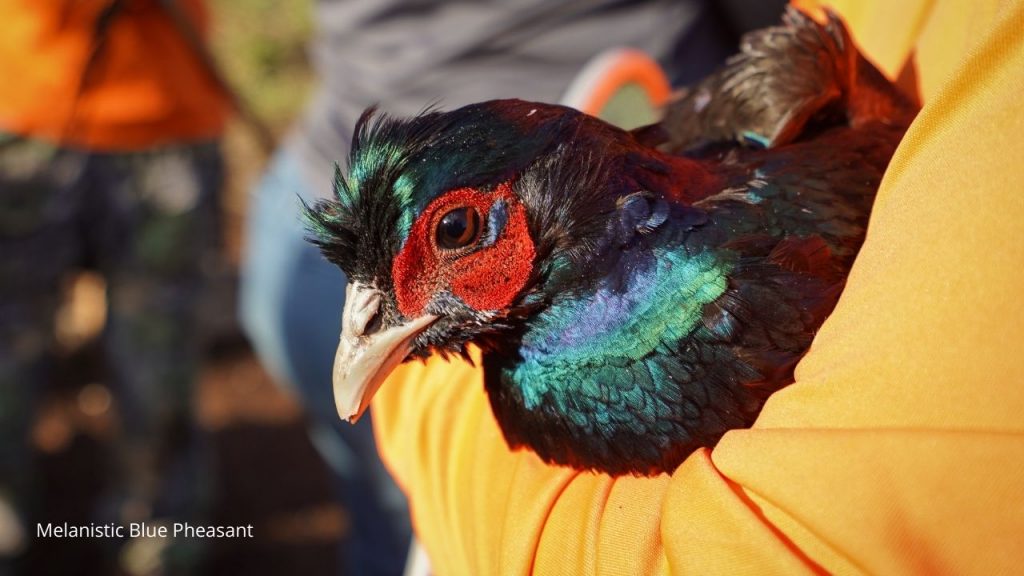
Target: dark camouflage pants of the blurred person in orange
146,221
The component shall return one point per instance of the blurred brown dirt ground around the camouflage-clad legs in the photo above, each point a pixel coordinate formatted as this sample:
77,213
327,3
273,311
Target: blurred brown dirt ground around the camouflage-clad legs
269,474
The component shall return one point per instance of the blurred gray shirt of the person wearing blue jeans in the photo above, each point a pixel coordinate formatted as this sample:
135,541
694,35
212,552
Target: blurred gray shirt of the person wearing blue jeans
407,55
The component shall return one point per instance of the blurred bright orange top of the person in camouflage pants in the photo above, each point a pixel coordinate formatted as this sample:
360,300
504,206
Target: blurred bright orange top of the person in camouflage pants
146,89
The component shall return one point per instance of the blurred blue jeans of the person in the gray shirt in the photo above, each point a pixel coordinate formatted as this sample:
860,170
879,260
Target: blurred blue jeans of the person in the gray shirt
291,306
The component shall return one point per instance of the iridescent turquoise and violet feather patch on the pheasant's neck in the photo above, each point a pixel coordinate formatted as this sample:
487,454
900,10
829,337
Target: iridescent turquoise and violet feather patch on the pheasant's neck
633,313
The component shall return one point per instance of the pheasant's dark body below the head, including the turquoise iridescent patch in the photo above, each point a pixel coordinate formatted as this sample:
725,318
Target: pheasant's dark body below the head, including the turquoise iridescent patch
690,326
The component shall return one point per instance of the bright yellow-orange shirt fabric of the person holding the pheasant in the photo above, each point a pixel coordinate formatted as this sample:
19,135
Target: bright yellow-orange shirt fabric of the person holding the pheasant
901,447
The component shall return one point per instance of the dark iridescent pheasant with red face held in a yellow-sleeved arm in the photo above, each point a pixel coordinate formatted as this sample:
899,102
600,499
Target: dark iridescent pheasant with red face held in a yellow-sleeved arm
635,295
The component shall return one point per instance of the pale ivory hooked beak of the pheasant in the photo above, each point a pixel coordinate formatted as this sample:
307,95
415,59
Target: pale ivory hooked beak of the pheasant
365,358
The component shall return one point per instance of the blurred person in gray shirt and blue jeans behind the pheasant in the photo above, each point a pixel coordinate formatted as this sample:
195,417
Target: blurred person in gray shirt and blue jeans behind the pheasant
404,57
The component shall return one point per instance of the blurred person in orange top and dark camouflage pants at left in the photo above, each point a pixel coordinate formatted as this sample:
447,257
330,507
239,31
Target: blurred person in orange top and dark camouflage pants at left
109,160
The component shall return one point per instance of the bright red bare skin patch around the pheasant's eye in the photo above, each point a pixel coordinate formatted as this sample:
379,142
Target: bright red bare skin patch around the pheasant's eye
486,278
